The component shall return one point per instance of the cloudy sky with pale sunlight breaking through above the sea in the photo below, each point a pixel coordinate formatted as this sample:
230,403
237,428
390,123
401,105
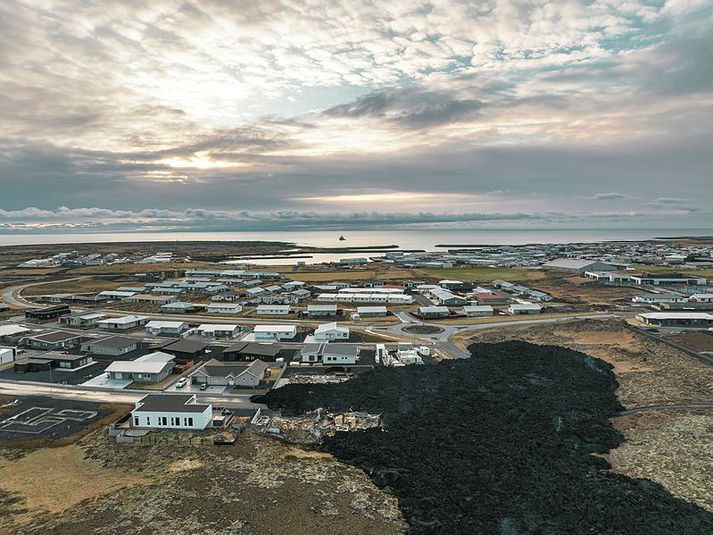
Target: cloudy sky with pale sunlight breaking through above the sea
244,115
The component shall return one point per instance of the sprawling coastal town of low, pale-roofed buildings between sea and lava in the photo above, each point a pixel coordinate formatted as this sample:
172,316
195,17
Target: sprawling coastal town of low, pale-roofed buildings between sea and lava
184,351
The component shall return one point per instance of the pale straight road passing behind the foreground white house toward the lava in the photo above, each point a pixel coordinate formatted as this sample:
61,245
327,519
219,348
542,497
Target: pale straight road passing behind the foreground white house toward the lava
11,388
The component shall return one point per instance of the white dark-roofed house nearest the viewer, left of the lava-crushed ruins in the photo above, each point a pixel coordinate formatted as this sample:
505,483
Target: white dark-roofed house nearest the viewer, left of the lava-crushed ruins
171,411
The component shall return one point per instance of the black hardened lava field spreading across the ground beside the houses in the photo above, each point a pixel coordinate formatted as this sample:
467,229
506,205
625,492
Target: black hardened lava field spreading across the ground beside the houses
499,443
